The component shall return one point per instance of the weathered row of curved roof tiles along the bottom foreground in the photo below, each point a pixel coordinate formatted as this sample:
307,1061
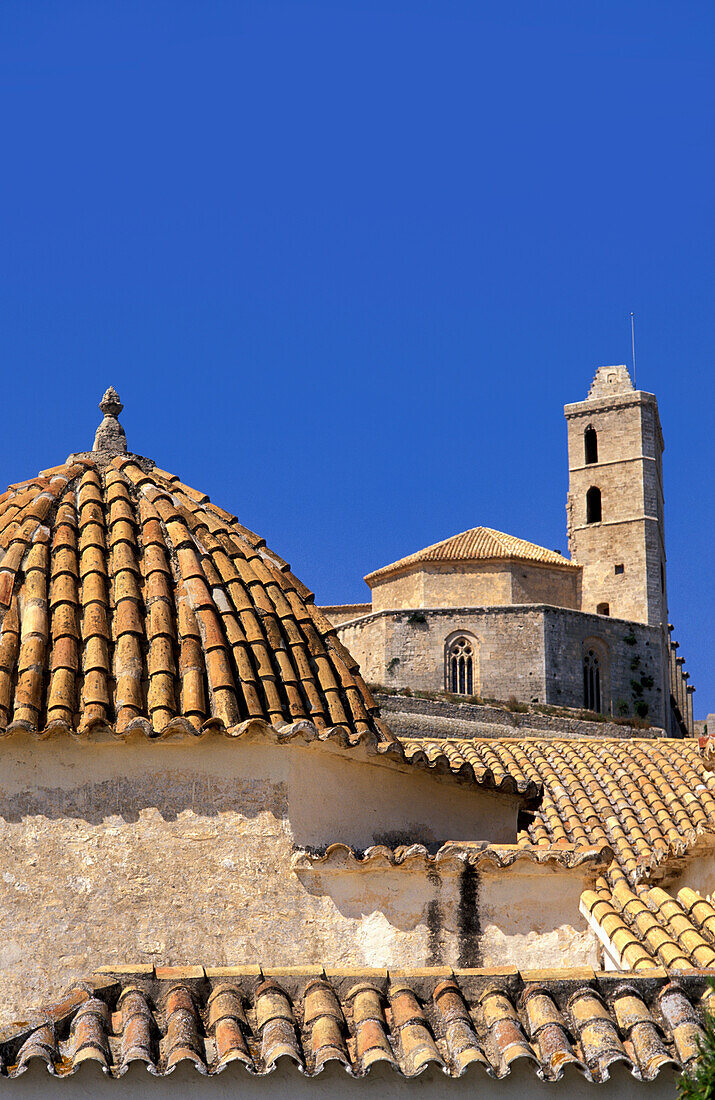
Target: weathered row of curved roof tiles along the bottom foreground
463,1021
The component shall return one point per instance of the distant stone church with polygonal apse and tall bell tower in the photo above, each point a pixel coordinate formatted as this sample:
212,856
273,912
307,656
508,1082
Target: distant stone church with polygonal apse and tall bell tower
488,615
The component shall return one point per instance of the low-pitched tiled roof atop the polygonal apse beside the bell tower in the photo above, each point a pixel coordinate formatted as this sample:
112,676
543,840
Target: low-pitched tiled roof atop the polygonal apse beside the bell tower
480,544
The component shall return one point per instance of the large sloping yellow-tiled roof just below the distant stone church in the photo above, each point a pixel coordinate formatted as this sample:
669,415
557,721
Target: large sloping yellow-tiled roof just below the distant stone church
650,800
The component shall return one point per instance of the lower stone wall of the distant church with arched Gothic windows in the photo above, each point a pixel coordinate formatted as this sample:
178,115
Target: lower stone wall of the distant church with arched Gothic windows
532,653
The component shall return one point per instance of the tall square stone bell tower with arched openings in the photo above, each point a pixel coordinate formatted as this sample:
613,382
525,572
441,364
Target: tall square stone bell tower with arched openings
615,503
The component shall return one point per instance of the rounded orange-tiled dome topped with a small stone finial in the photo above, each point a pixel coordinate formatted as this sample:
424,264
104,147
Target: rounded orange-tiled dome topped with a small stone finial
128,599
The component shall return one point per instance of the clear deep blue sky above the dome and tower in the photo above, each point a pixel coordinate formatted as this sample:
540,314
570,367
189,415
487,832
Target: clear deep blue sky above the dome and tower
347,261
